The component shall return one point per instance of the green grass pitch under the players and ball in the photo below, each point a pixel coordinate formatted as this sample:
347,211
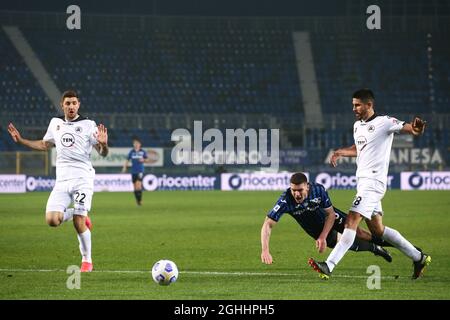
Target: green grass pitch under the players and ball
214,238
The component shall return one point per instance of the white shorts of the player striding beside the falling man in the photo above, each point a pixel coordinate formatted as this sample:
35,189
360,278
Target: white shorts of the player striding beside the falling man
367,201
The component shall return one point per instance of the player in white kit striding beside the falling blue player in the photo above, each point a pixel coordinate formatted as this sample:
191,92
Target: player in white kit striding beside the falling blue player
373,135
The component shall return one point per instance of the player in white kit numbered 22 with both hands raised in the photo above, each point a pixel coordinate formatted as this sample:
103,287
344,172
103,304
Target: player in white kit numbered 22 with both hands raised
74,136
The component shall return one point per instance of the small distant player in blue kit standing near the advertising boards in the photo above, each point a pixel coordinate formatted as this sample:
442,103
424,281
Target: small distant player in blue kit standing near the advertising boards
138,157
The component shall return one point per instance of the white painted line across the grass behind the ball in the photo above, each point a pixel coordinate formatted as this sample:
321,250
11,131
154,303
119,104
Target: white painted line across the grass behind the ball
218,273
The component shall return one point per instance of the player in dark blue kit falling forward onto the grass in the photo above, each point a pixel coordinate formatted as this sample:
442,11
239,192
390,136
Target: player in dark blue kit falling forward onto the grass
310,205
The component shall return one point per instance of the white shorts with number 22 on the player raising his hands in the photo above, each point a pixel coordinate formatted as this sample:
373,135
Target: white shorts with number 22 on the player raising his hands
79,191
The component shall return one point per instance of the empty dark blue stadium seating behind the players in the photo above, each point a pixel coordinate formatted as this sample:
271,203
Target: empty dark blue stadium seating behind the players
229,71
